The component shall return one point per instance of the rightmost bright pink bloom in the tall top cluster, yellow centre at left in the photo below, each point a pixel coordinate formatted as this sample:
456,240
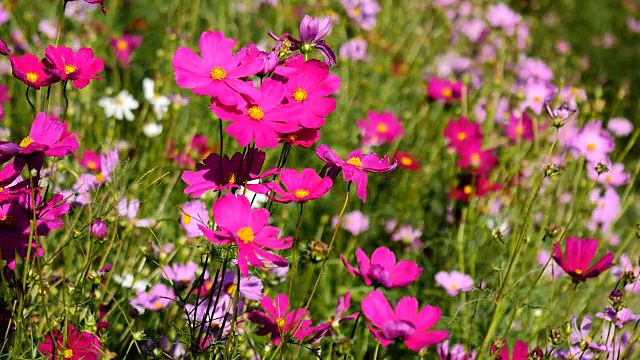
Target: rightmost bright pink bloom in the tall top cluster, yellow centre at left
310,87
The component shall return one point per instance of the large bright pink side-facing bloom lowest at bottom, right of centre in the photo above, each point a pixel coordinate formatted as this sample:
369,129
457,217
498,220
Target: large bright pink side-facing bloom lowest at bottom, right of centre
405,323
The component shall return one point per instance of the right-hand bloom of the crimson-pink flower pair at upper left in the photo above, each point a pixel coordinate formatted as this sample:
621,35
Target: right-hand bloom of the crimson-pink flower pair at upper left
80,67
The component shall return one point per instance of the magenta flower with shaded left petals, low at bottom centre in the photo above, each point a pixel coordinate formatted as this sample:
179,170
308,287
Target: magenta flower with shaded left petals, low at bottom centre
279,321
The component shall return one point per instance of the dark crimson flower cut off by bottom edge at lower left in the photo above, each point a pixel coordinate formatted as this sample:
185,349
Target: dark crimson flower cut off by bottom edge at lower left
74,345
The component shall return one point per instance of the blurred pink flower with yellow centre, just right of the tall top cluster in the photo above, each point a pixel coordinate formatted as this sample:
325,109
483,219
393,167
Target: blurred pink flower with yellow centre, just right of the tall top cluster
380,128
